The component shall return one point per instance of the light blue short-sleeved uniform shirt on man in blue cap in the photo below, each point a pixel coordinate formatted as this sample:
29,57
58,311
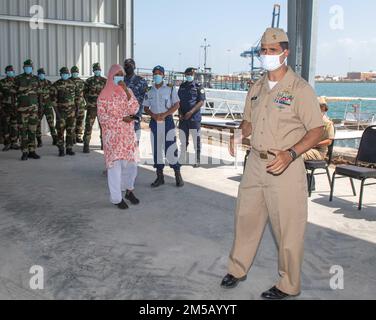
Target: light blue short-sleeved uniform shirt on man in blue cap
162,99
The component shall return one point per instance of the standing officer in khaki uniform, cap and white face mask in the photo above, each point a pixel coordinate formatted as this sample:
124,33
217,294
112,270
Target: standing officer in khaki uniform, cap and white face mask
282,115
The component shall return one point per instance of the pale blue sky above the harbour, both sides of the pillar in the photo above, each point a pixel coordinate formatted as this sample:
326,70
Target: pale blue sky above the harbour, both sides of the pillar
170,32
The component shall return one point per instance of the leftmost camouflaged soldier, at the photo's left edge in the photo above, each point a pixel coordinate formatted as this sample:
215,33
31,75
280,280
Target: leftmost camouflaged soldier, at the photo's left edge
9,110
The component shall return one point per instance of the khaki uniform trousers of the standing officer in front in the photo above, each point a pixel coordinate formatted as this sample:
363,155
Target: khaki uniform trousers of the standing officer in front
281,199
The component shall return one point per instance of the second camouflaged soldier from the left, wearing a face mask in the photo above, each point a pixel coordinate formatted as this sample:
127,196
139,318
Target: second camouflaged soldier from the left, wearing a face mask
27,92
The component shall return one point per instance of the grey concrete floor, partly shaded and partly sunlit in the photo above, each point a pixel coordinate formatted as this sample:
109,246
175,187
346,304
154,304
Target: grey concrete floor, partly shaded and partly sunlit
55,213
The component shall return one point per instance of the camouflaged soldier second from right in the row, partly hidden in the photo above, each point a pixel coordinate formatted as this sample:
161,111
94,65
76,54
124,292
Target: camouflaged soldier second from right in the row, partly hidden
80,106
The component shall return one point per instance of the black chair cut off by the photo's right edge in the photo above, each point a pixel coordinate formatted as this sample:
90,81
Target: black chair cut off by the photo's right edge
366,154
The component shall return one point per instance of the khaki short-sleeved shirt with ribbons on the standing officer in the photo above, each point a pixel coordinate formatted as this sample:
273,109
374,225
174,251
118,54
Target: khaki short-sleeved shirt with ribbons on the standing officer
281,117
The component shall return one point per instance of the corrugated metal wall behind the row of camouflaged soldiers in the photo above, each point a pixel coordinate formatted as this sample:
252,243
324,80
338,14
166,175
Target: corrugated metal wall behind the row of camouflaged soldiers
74,32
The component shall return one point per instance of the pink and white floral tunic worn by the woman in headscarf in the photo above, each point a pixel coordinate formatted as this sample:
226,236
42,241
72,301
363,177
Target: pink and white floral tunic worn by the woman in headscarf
119,137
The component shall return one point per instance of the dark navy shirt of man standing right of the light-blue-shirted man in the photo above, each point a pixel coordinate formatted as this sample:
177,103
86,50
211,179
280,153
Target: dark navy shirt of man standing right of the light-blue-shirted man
191,93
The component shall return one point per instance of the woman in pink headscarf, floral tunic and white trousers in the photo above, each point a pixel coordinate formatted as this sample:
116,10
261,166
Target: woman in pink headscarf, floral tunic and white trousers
117,106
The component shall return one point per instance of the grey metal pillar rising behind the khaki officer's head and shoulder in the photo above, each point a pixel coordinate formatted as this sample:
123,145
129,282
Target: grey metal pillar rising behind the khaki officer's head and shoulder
302,30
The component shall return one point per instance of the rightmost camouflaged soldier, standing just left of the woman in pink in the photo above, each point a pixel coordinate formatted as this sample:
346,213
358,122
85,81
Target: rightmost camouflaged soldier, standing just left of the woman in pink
93,88
